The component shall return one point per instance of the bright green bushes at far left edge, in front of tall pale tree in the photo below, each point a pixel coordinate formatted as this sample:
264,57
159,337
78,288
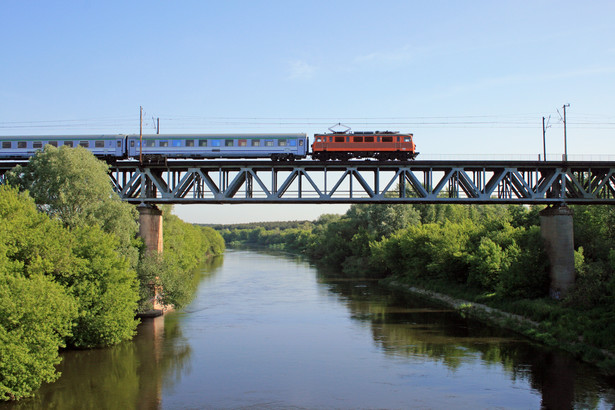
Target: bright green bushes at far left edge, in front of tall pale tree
36,314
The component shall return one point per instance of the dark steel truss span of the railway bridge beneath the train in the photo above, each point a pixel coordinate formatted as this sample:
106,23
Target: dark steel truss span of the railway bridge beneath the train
305,181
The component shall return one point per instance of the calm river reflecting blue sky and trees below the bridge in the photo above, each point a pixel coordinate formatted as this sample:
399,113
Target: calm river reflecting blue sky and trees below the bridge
270,331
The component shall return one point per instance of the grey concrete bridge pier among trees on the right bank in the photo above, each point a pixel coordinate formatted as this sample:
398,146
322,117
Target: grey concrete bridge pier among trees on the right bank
557,231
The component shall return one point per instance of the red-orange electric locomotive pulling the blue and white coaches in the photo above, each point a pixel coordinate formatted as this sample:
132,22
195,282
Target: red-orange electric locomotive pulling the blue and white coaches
344,145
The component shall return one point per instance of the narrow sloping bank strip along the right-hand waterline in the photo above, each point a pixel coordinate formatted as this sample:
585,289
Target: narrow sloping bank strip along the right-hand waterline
538,331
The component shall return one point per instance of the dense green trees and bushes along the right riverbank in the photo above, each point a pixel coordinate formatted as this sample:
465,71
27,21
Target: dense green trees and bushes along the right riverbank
491,255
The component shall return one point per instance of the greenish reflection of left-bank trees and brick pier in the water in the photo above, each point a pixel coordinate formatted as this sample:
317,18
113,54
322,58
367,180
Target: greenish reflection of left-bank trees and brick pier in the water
128,376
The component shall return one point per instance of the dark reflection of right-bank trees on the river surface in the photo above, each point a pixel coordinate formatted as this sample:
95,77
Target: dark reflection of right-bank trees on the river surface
404,325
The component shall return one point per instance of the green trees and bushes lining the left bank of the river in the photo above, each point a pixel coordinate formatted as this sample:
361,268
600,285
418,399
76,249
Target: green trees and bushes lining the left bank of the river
73,272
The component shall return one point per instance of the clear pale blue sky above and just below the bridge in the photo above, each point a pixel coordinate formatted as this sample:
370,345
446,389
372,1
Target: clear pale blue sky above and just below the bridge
467,78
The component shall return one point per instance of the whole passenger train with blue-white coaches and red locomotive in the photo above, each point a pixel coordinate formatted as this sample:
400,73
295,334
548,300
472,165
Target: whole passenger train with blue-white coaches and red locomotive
386,145
